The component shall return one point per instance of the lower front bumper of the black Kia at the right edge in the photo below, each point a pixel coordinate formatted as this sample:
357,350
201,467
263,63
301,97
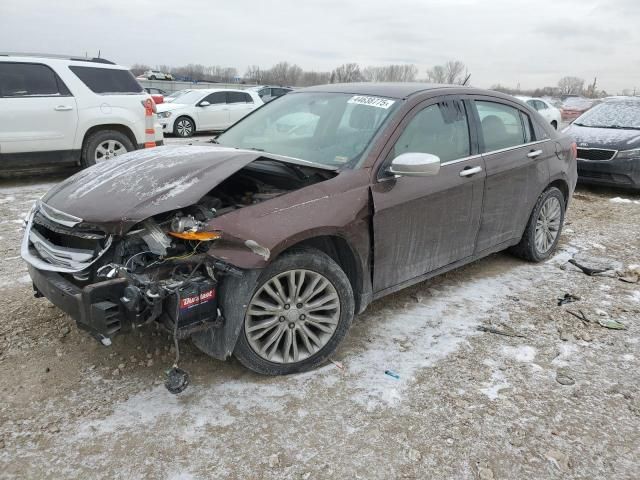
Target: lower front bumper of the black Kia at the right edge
616,172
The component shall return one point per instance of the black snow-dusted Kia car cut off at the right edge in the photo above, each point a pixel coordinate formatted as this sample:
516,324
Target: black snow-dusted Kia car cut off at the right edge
608,138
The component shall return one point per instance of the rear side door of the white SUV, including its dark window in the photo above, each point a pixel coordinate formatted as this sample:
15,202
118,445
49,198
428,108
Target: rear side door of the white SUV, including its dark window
37,111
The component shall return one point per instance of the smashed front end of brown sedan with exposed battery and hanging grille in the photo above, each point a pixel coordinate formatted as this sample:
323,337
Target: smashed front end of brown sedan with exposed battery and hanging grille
158,271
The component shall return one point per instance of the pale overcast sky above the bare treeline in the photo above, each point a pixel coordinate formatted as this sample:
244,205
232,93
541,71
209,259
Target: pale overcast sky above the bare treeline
532,43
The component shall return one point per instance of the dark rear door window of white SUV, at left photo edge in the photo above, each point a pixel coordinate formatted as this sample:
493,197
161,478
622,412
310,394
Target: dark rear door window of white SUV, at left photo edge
29,79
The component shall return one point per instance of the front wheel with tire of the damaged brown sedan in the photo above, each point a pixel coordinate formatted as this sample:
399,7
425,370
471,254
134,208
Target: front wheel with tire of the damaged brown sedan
294,328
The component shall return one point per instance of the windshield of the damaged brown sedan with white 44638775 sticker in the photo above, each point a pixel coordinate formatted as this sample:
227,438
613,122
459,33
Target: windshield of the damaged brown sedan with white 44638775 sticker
332,129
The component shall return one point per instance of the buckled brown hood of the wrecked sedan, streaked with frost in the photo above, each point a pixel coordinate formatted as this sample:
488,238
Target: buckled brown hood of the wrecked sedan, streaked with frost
121,192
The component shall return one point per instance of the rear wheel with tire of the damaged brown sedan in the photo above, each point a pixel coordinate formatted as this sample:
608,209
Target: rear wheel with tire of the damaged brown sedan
530,249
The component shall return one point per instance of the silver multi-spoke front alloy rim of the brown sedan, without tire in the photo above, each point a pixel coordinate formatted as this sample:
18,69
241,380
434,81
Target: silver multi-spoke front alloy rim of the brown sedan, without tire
292,316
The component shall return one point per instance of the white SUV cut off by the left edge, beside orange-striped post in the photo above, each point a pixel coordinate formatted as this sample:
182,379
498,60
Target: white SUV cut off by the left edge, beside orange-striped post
68,110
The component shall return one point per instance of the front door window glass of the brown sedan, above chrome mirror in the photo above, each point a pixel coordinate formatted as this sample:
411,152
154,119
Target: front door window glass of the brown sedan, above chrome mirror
441,129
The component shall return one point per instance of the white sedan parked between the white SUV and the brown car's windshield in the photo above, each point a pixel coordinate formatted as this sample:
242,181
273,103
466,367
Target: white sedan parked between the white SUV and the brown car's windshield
206,110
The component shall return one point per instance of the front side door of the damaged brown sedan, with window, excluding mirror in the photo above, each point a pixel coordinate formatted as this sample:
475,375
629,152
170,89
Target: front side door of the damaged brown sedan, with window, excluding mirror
421,224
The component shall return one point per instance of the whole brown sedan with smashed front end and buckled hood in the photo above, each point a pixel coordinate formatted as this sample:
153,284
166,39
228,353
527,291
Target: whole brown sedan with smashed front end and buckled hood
266,245
